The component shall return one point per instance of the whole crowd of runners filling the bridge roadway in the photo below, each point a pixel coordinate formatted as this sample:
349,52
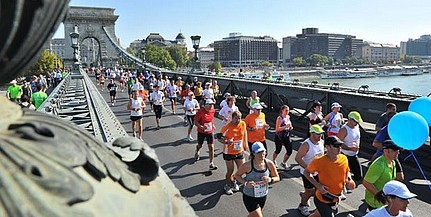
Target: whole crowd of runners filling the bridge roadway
328,157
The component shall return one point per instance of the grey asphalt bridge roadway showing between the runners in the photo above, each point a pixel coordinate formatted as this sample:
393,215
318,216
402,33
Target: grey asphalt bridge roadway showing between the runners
204,189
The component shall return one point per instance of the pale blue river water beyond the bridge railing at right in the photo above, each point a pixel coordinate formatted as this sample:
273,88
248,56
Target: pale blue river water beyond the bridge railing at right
417,84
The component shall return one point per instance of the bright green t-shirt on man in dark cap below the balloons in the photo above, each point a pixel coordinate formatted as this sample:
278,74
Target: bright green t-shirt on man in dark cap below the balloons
378,174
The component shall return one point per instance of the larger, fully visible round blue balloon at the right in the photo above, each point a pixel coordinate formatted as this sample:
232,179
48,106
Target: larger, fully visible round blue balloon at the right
408,130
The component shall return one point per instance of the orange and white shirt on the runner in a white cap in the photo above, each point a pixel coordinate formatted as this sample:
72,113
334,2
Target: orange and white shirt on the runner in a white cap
253,120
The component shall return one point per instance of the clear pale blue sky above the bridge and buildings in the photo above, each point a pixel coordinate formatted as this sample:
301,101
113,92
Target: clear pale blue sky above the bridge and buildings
380,21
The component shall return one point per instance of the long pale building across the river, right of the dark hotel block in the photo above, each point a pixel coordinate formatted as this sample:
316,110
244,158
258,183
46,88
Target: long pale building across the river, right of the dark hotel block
384,52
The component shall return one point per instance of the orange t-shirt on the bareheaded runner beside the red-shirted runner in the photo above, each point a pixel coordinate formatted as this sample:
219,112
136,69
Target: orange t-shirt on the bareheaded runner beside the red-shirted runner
237,134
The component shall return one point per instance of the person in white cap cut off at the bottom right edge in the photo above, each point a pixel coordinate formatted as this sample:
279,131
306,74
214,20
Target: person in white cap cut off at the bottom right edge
396,196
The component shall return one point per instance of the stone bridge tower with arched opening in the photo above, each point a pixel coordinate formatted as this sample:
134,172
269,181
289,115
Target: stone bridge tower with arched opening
95,46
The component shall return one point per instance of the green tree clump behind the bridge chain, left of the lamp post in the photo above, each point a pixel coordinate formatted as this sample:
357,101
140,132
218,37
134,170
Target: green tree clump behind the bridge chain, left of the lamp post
159,57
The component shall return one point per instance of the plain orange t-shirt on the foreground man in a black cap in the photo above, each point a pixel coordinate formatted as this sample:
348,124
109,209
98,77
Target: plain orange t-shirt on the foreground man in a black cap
331,174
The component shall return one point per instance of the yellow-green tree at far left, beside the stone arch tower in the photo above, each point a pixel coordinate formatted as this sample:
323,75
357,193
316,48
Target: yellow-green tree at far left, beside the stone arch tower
47,62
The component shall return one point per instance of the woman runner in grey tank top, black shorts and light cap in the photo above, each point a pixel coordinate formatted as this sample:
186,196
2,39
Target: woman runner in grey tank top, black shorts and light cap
259,173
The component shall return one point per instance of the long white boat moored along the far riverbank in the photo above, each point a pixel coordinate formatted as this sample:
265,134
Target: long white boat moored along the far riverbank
347,73
